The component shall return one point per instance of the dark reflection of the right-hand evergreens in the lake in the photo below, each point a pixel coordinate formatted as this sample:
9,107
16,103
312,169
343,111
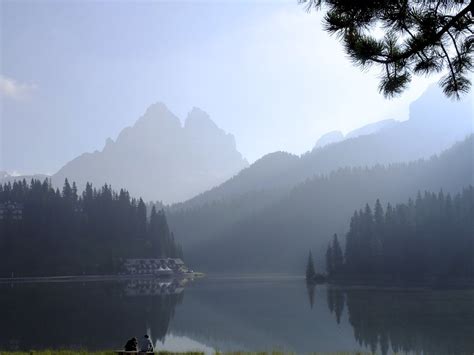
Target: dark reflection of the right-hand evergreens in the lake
407,321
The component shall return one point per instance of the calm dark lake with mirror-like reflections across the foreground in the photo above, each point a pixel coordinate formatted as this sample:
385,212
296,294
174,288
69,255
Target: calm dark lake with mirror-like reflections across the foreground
236,313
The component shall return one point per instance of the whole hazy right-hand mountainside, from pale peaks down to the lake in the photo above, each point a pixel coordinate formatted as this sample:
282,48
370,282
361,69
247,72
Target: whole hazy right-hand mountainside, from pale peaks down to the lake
245,218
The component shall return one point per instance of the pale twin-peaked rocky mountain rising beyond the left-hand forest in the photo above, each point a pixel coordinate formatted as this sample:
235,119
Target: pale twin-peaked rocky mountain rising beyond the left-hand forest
159,159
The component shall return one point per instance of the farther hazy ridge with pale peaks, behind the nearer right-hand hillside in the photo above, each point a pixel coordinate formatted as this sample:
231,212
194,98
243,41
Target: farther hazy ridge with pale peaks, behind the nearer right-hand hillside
441,123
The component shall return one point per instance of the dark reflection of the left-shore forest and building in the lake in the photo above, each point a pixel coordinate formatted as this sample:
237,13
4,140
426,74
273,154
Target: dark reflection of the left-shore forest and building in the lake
56,315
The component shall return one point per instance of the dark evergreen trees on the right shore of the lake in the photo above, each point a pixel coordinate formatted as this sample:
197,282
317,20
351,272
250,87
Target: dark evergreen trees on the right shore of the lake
429,238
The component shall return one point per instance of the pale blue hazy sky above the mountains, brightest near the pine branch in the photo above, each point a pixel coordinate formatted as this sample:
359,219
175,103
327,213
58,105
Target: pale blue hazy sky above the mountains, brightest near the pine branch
74,73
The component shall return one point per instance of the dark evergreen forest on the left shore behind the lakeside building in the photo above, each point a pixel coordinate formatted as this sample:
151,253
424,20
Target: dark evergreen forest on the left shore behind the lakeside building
45,231
